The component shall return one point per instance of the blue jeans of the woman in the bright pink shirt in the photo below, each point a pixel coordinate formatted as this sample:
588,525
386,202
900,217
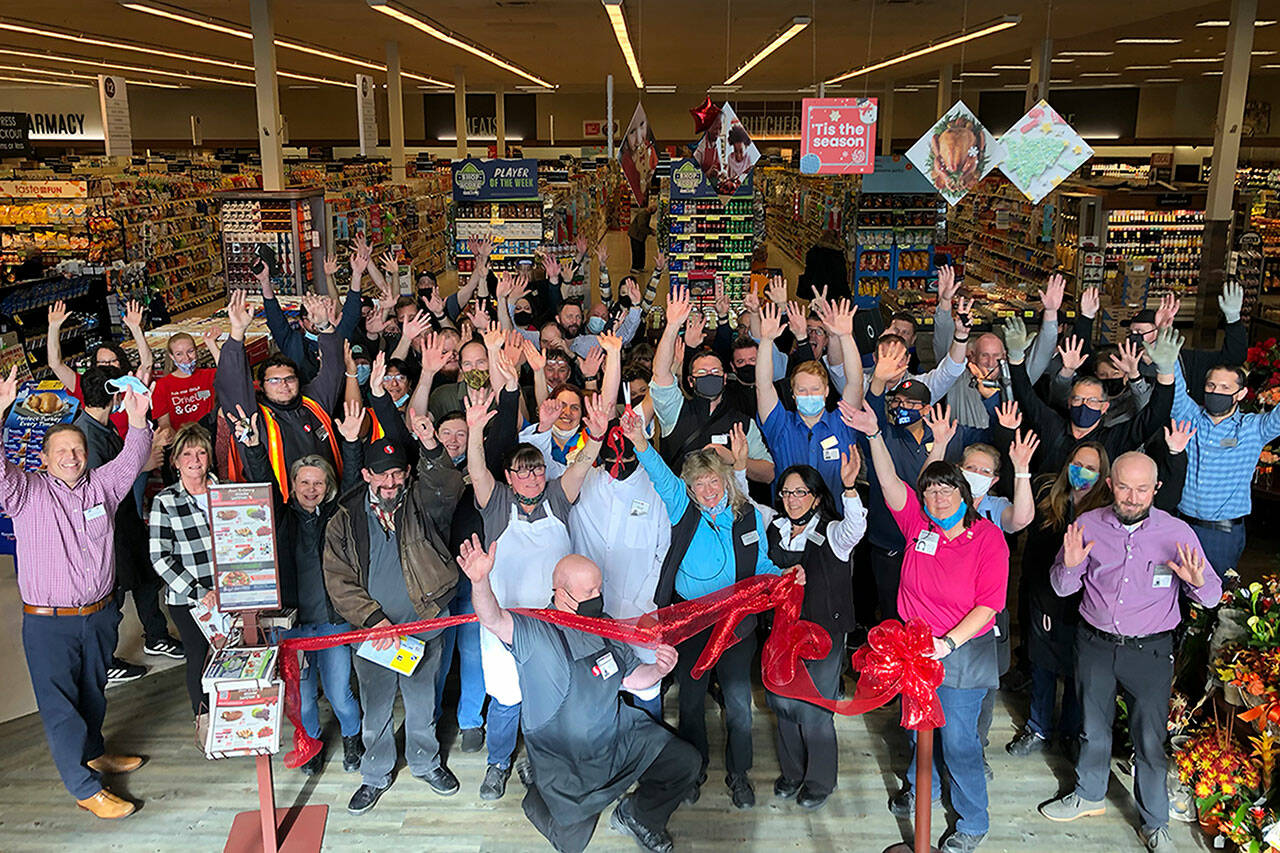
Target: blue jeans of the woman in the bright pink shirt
962,756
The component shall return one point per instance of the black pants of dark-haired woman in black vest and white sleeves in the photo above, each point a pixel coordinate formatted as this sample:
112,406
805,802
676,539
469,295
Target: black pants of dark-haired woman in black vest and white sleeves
807,733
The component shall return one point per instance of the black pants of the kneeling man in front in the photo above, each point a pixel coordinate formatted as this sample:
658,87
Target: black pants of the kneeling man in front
659,793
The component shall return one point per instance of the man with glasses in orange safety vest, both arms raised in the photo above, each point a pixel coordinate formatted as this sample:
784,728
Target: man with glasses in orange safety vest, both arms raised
295,419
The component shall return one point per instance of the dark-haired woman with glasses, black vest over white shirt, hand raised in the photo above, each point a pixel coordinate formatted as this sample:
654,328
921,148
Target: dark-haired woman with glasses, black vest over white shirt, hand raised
812,533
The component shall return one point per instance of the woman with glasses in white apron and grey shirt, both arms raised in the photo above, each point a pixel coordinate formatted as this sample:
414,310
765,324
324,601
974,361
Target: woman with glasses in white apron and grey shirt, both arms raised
528,517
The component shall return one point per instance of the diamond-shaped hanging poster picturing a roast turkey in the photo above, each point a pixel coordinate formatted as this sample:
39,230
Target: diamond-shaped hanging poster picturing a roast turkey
957,153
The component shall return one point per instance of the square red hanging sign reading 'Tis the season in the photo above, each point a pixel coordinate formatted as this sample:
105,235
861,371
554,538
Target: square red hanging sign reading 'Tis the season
838,136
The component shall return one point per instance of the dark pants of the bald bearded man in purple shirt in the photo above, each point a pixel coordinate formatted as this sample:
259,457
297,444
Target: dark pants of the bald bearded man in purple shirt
1146,672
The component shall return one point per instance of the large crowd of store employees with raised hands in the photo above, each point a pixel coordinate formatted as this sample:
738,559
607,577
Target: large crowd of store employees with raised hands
524,444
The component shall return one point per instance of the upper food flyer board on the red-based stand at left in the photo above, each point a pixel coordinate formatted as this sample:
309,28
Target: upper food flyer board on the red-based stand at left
244,532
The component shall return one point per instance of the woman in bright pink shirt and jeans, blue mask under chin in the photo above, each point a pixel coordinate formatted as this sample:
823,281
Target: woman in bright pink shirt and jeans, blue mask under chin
956,576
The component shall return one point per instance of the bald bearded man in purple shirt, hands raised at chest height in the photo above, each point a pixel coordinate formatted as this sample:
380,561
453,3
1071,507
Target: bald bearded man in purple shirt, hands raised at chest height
1133,562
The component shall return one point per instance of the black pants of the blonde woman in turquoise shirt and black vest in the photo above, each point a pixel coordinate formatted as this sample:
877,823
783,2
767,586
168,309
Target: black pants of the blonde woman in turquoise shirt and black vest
734,673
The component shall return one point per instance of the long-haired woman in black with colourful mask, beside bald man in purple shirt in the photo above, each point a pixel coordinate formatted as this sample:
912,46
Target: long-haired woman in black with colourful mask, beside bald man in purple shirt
1080,487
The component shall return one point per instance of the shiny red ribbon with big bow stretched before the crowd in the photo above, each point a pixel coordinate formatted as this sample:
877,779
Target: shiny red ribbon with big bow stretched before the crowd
895,659
